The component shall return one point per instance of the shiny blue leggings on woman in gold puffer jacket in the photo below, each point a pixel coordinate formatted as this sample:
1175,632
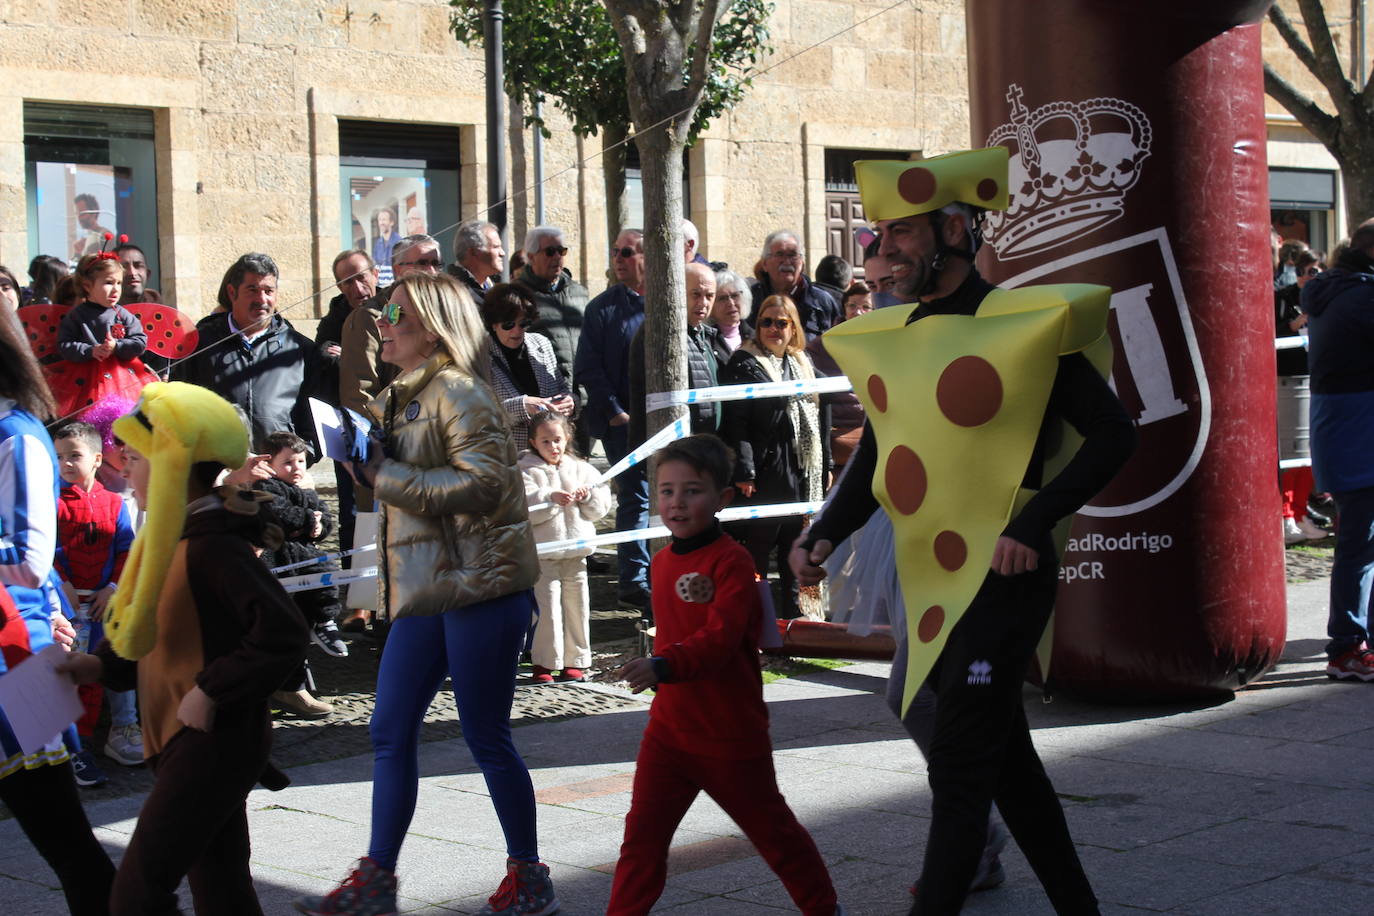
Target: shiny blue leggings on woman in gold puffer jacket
479,648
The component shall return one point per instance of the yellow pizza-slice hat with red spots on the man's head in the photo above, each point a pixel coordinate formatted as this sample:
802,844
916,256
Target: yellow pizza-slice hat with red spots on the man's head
894,189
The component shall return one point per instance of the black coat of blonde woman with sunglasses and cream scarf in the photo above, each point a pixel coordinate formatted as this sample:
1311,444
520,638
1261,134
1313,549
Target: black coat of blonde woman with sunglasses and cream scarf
762,436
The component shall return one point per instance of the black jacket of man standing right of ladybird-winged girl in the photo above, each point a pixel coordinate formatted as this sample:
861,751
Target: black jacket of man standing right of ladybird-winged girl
271,380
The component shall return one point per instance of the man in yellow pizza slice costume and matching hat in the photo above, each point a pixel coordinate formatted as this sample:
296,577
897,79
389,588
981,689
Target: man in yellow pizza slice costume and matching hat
968,395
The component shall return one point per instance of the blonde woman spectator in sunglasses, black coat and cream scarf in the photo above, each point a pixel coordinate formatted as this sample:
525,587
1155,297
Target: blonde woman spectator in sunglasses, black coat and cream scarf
782,446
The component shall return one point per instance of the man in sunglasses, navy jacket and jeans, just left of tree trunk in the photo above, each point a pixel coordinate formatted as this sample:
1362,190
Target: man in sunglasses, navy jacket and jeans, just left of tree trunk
602,369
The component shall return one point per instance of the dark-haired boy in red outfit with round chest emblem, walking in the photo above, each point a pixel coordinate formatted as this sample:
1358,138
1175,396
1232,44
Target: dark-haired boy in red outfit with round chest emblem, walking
708,729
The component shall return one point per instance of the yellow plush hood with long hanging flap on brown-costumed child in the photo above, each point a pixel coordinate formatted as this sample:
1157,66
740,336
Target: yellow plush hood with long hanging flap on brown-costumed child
174,426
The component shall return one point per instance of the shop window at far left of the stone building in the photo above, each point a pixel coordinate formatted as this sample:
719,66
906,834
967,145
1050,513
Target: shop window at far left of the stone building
90,171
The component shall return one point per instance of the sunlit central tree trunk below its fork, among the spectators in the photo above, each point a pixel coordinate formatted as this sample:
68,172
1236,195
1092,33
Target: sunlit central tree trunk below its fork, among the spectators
666,284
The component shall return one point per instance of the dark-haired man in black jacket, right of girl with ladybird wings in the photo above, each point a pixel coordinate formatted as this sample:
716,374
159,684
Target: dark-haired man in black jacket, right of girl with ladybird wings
254,358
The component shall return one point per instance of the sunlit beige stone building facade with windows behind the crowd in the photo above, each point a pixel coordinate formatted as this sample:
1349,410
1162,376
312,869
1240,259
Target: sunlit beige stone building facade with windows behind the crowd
205,130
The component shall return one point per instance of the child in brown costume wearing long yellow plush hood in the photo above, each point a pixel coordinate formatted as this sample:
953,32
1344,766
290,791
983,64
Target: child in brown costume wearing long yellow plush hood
207,634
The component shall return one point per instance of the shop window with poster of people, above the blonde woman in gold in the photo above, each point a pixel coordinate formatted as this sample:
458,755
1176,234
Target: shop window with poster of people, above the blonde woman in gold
398,181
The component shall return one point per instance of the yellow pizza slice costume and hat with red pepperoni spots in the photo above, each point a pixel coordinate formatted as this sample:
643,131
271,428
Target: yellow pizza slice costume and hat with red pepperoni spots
957,403
